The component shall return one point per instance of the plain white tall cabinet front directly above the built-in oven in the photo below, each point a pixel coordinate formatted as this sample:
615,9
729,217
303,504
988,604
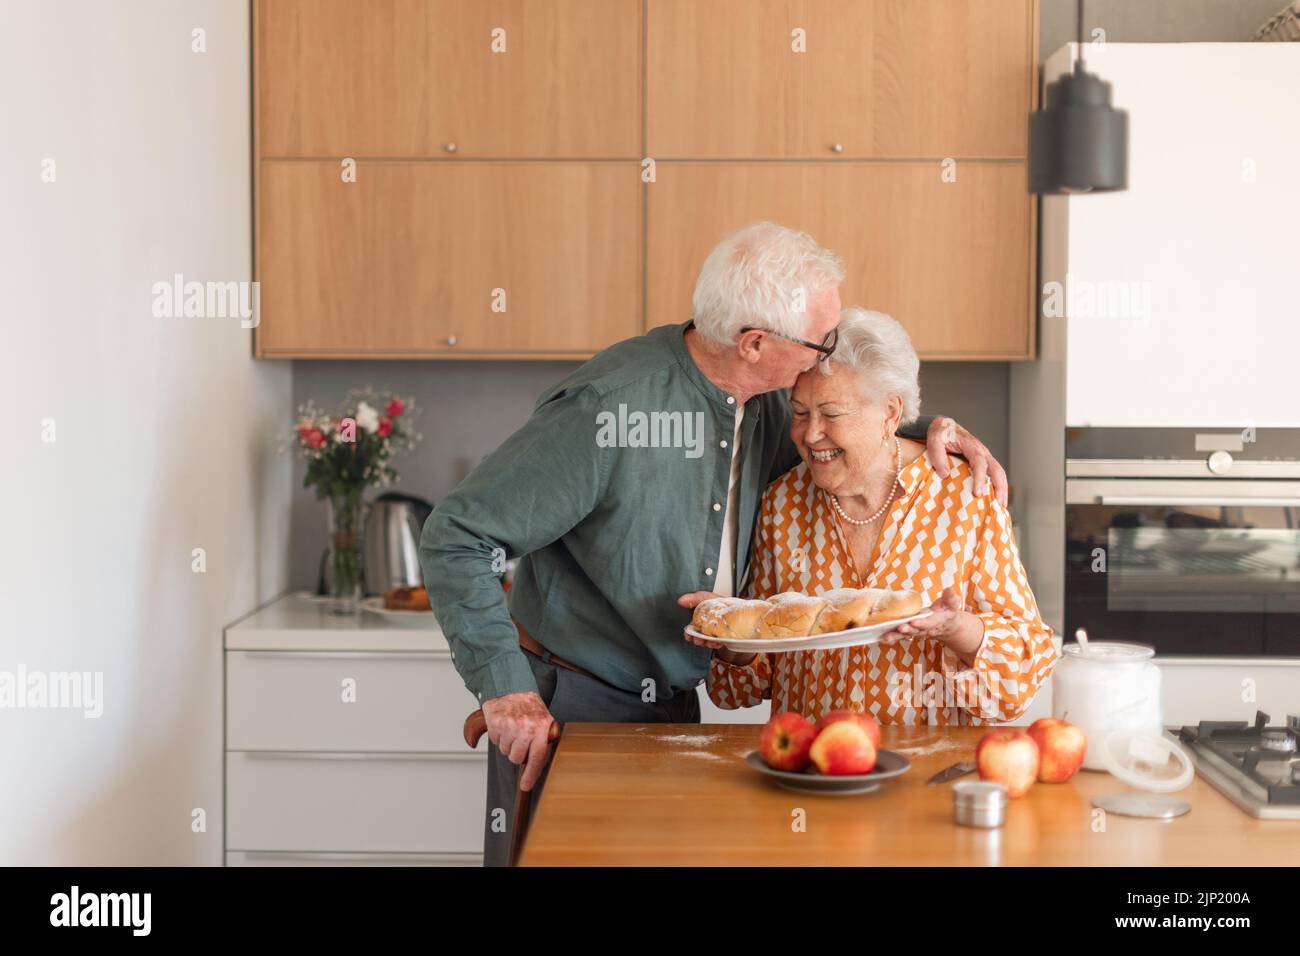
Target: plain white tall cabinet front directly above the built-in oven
1177,297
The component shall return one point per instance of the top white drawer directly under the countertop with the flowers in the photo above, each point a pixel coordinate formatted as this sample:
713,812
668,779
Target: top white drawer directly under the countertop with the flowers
293,700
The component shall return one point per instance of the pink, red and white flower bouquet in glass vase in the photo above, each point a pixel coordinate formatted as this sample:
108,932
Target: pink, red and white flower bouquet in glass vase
346,455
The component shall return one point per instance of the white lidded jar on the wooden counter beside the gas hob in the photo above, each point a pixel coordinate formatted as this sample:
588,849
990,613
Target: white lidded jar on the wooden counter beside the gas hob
1107,686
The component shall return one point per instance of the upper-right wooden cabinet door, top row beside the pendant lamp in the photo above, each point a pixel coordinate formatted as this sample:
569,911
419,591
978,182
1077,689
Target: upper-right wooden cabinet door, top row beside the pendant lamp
839,79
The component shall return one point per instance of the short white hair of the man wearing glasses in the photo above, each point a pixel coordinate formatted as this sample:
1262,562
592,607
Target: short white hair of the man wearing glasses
765,276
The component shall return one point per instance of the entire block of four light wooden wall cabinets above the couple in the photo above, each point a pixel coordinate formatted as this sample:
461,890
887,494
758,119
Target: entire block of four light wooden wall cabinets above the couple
523,171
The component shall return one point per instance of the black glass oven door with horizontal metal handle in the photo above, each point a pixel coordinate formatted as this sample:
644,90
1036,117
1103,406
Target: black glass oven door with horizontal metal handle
1193,568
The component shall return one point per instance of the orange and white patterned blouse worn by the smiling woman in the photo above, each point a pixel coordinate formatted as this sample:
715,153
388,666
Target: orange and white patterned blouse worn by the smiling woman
937,535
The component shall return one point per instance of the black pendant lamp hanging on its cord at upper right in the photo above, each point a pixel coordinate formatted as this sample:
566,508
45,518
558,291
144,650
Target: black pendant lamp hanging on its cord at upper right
1078,142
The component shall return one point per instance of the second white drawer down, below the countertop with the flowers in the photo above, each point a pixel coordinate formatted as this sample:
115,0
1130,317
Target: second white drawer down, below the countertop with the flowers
359,803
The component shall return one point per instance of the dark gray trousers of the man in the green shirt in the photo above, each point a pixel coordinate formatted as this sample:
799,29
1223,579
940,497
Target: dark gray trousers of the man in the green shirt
569,697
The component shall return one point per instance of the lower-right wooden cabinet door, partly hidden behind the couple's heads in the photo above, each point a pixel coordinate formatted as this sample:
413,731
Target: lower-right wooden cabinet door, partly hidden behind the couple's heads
950,261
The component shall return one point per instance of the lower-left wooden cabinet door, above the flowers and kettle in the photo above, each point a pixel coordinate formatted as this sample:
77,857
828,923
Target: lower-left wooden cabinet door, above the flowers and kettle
475,261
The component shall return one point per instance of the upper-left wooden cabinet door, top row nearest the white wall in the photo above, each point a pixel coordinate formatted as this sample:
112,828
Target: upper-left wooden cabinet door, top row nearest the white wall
510,79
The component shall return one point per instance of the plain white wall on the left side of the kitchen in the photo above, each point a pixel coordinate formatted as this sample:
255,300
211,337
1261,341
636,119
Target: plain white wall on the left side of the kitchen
164,429
